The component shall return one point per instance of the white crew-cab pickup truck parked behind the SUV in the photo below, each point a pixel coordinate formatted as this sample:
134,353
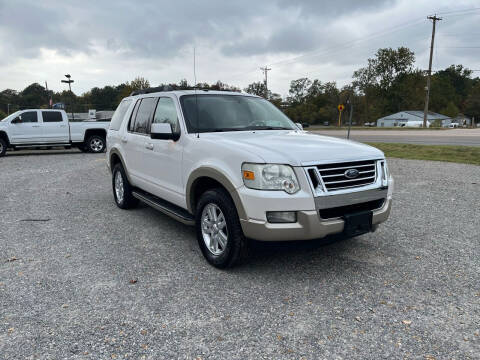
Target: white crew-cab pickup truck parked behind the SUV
50,128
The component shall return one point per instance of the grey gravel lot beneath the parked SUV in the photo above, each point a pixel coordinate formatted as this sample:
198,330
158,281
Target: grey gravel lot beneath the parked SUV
87,280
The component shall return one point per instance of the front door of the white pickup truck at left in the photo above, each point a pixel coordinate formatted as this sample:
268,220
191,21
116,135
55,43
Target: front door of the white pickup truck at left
25,128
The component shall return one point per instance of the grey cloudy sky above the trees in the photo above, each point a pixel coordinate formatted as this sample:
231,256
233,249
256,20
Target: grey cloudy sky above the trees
109,42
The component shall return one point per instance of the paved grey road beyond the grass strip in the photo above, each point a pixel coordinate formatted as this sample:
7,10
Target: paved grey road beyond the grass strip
467,137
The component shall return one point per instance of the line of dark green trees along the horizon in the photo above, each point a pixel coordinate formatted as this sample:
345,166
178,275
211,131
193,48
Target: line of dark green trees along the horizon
388,83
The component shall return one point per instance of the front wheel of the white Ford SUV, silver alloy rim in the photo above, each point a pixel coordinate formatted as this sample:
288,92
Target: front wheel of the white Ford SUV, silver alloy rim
219,232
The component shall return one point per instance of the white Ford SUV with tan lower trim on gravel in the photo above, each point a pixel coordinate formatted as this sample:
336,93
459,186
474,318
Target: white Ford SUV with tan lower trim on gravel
237,168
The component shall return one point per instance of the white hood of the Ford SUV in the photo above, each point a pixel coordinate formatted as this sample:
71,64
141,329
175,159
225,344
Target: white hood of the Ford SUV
296,148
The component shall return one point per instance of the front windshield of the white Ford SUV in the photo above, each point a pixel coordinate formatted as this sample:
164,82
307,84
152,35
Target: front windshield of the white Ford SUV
213,112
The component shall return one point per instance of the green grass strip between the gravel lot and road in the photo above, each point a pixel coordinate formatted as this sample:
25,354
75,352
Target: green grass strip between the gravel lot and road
449,153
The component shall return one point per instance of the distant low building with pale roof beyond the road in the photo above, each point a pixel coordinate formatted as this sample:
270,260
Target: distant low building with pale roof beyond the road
412,119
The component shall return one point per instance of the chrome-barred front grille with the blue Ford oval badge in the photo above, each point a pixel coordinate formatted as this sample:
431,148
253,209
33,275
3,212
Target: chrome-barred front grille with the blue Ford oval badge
334,178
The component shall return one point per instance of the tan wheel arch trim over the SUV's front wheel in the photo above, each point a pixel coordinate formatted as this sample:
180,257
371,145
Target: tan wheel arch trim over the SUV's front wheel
205,178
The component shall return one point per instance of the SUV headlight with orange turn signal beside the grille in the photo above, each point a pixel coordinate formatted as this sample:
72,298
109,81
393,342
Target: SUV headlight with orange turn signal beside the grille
270,177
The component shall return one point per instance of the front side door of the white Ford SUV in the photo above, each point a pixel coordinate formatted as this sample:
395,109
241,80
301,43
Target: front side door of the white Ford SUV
162,161
